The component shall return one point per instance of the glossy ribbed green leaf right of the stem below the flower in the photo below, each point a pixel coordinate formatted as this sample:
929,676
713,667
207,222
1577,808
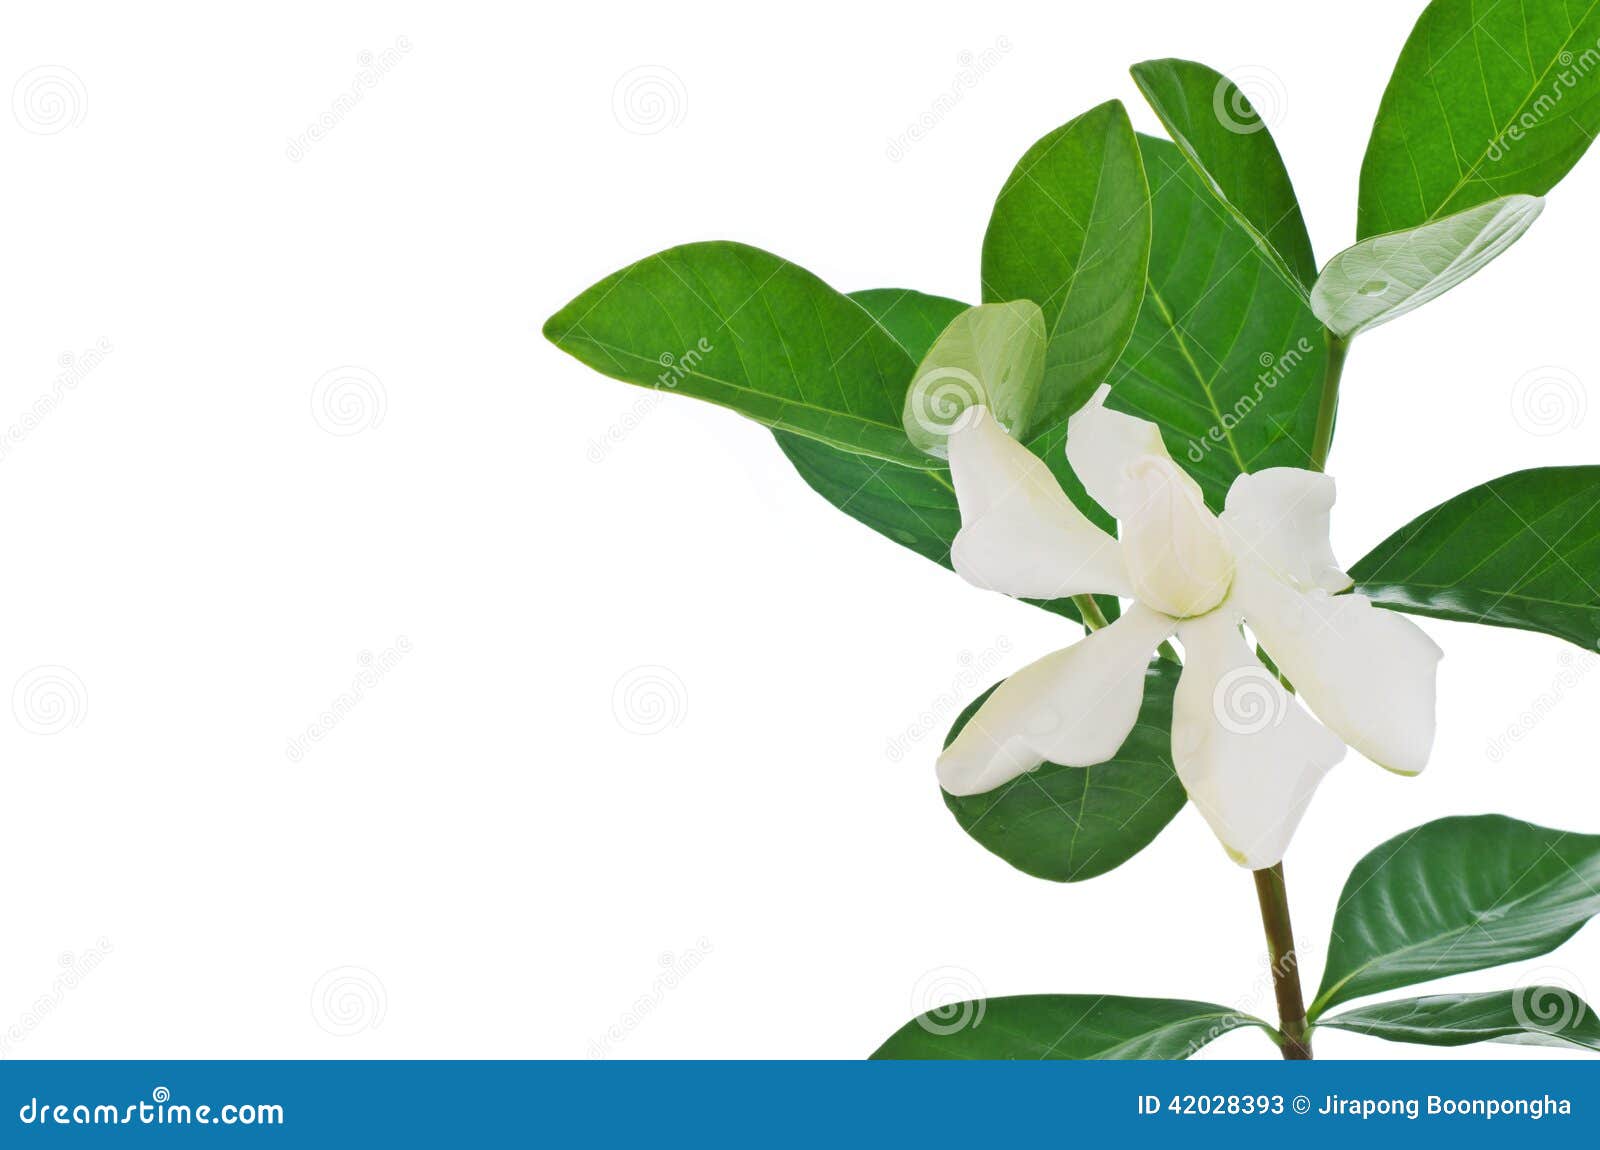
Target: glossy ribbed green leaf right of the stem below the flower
1458,895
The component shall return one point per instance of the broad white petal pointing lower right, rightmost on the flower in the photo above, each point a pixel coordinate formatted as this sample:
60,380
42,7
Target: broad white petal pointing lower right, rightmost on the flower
1369,674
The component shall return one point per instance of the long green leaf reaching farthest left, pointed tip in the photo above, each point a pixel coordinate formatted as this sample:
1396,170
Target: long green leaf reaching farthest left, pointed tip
746,330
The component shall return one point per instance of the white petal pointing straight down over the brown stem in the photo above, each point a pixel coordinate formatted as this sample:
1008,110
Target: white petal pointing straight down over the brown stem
1247,754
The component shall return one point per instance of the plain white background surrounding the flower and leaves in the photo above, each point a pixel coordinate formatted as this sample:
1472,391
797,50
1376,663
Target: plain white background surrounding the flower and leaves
482,858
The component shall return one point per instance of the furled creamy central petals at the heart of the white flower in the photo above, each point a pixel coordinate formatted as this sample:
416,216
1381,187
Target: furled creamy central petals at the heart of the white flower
1178,559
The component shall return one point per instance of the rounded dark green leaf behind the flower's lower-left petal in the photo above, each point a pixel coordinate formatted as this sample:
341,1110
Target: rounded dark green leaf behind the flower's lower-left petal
1074,823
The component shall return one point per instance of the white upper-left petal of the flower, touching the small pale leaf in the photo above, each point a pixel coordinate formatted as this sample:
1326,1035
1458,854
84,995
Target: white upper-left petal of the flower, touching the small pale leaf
1022,535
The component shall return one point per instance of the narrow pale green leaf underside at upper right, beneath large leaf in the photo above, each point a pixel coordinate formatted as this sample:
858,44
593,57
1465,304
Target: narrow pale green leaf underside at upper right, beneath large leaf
1391,274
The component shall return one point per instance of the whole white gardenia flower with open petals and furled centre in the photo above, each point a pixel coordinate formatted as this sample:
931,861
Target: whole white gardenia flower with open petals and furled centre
1247,753
